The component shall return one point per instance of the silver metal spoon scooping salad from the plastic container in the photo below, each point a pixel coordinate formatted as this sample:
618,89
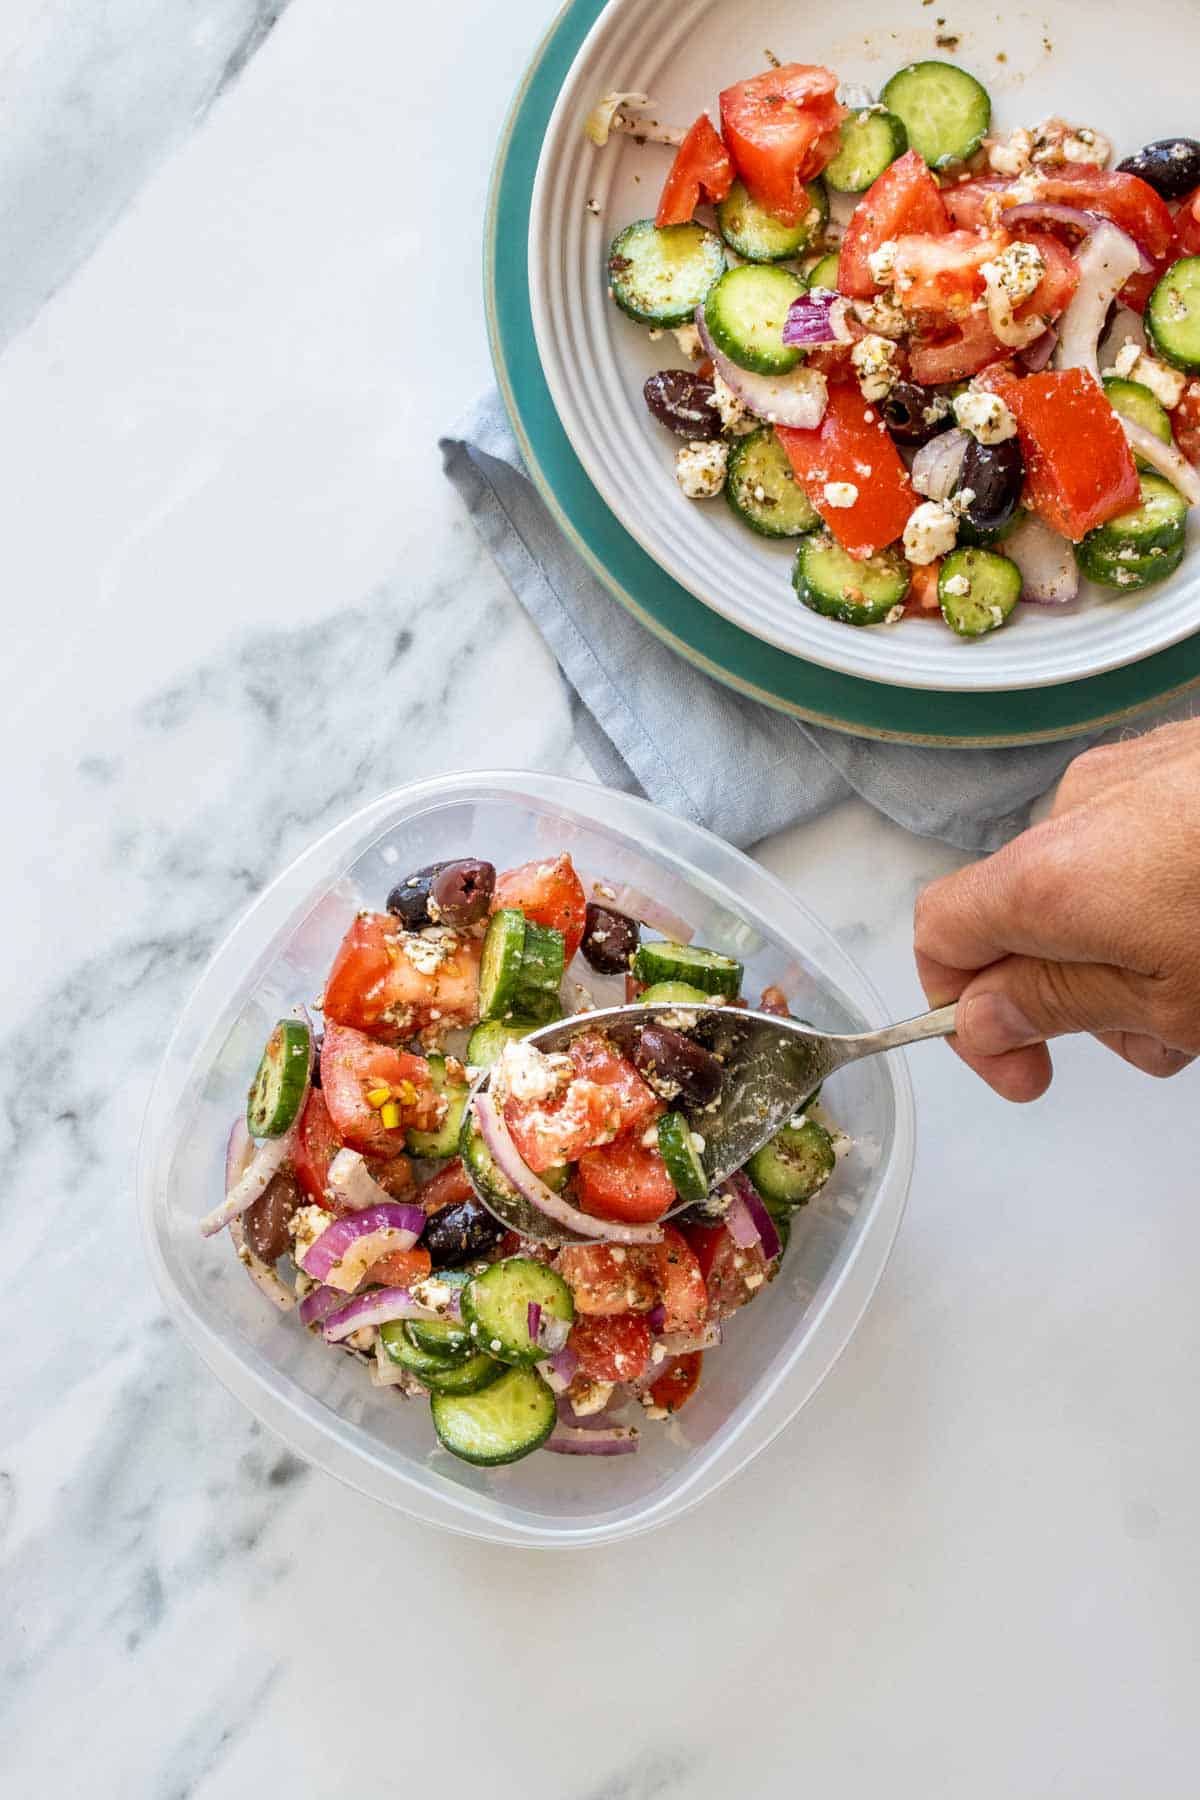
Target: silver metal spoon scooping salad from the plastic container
771,1068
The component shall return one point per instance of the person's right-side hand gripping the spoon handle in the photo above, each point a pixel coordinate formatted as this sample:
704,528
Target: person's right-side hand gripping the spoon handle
1088,922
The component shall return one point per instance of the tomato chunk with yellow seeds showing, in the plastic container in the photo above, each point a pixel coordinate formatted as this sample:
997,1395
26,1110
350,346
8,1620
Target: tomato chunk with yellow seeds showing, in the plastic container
354,1068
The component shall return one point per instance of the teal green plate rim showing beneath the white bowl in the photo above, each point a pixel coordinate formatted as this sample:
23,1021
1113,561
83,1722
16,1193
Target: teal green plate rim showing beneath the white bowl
694,631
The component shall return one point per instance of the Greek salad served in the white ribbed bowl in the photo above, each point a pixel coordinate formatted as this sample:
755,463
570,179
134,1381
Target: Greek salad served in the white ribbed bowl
953,364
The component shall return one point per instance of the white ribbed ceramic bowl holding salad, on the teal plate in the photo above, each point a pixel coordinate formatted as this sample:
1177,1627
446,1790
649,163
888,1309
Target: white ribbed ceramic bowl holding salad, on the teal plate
1104,67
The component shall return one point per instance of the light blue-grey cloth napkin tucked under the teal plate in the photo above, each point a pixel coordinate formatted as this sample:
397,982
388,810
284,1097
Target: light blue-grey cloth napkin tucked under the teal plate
652,724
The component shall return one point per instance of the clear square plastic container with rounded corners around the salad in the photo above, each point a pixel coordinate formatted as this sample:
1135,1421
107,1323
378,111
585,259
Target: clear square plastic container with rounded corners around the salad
323,1405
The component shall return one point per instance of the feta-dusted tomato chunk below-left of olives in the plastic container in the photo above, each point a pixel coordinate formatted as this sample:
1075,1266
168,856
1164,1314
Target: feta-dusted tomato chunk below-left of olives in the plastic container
393,984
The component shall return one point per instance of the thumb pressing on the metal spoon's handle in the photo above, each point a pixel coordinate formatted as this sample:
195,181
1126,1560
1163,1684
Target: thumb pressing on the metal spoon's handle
1025,1000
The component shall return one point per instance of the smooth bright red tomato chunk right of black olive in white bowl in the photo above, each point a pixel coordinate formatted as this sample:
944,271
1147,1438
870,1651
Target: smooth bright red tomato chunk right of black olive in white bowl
1079,462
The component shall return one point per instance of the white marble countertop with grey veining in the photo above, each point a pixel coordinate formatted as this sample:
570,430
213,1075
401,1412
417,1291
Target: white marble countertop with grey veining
238,303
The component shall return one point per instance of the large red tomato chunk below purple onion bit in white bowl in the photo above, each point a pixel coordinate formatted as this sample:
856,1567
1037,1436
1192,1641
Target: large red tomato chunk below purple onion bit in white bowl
855,451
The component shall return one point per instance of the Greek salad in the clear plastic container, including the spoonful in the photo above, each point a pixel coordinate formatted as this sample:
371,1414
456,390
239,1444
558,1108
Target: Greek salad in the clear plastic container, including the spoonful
348,1194
